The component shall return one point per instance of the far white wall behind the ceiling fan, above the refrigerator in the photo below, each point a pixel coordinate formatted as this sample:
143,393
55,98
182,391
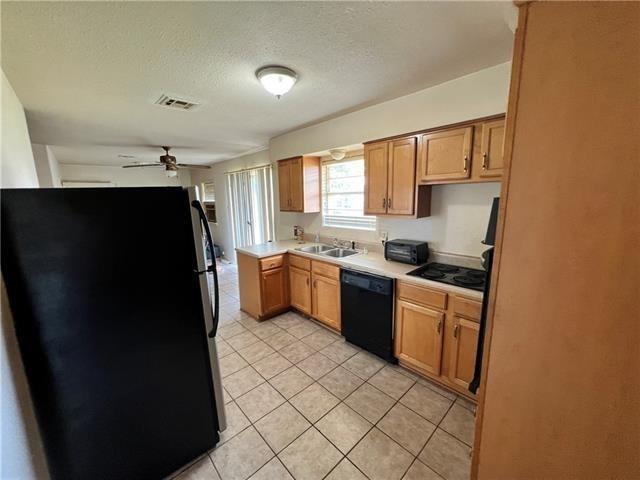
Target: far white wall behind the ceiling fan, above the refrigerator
123,177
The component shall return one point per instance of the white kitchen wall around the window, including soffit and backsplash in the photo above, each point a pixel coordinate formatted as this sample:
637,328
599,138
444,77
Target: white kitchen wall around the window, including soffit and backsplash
459,212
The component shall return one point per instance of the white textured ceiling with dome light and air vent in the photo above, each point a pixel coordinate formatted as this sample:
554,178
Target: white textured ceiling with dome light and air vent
88,73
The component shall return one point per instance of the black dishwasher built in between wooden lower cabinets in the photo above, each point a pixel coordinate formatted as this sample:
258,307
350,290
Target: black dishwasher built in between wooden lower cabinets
367,312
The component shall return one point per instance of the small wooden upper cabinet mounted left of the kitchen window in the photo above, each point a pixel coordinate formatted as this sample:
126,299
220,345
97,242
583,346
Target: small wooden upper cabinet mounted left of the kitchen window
299,184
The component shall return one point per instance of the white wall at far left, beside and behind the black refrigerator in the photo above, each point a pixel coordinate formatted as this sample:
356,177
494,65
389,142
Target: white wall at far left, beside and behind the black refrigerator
21,450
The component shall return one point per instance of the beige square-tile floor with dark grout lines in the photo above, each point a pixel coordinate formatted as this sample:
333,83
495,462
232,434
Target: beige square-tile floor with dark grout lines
304,404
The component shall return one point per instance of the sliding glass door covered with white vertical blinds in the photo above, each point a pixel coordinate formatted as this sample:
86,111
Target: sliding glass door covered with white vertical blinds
251,201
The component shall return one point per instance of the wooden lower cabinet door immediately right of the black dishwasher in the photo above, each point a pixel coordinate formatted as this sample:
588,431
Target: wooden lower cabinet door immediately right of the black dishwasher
418,339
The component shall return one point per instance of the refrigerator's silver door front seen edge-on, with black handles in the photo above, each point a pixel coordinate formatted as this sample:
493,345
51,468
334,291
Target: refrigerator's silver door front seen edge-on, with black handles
201,230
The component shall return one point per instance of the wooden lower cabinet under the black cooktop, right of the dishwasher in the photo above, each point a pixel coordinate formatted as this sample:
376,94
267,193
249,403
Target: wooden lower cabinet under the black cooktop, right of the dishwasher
436,334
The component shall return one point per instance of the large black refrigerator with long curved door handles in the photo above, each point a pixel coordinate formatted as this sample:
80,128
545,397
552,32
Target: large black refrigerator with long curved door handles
113,312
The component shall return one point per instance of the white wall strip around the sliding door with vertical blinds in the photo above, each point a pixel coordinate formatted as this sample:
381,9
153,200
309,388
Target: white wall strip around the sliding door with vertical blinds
222,231
